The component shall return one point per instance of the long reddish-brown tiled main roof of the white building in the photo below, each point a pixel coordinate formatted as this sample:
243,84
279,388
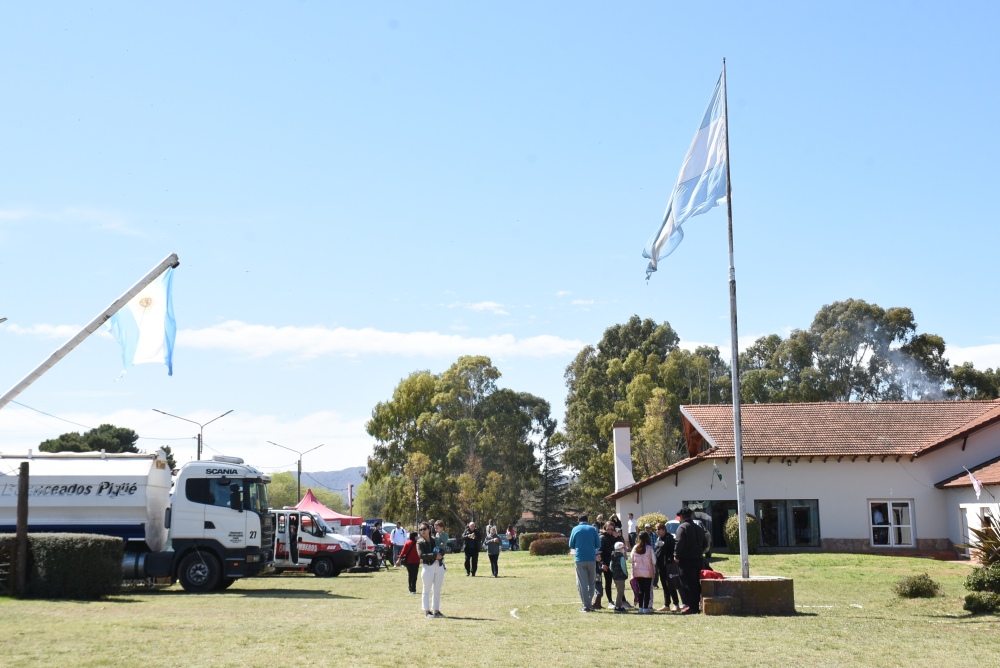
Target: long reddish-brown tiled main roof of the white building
841,428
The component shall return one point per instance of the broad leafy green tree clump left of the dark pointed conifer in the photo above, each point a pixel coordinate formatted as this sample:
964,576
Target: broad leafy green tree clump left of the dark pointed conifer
457,442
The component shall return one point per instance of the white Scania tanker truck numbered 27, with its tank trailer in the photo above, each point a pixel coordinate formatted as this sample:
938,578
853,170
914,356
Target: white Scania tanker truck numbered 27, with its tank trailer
212,529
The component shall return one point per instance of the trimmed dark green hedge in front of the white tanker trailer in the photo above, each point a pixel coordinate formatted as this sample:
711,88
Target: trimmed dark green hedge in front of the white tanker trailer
72,565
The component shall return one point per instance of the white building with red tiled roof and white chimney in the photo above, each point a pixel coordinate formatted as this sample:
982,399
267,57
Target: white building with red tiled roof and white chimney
853,477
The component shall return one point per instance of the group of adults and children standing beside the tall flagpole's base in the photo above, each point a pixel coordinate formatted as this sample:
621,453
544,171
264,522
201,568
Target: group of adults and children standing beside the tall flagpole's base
601,556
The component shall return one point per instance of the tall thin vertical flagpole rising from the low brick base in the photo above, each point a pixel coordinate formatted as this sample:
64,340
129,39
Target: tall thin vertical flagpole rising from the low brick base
737,427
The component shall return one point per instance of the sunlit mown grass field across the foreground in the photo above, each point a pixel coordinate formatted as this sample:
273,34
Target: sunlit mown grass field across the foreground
847,616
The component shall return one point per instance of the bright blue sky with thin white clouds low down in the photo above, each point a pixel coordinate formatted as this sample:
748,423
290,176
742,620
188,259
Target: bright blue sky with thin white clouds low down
360,191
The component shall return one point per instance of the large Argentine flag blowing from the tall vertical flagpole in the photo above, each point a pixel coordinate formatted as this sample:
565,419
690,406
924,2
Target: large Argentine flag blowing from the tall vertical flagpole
701,185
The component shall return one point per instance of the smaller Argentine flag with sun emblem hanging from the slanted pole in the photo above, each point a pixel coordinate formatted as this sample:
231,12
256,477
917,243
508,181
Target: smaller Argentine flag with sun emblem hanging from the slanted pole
145,327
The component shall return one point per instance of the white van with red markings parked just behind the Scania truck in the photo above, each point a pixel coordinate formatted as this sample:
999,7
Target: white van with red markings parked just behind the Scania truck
303,541
